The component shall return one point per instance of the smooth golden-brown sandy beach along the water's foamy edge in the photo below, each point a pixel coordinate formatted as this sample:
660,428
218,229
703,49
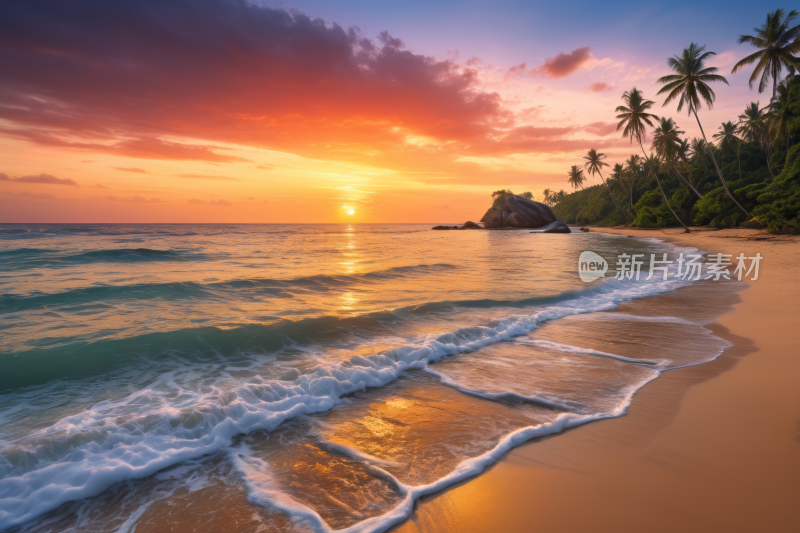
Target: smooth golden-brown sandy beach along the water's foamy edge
704,448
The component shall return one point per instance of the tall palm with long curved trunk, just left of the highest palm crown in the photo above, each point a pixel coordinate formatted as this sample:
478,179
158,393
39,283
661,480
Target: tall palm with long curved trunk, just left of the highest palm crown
690,83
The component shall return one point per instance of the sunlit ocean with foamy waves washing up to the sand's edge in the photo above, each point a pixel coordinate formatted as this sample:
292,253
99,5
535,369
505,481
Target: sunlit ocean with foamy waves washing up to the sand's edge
307,377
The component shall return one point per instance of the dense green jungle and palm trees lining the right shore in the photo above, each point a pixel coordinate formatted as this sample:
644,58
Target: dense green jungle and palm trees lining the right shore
748,171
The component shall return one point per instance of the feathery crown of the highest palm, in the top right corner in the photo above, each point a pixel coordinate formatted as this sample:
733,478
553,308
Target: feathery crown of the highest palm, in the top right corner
778,43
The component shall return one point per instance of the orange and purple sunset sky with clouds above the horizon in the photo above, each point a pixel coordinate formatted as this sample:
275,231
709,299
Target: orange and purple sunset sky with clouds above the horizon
225,111
